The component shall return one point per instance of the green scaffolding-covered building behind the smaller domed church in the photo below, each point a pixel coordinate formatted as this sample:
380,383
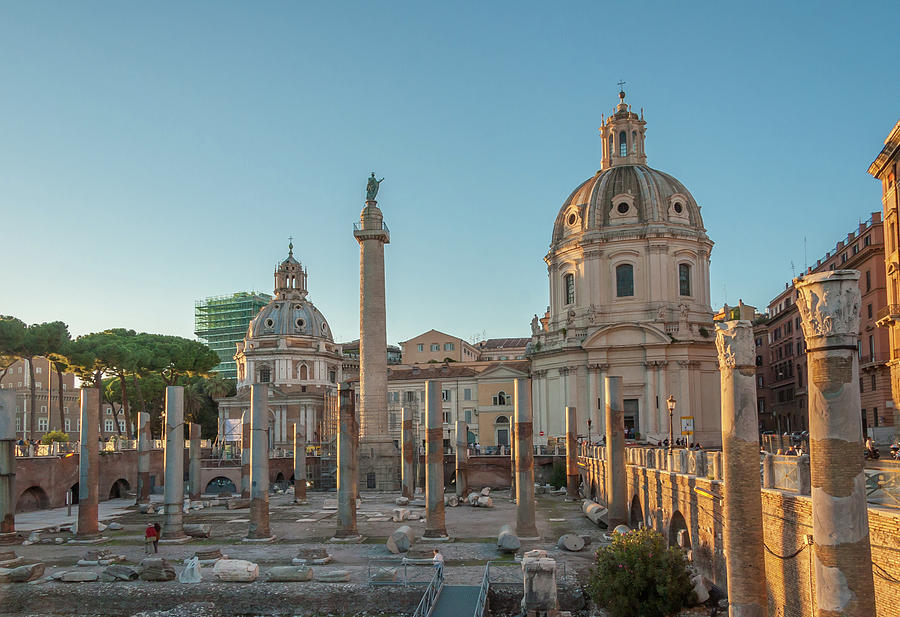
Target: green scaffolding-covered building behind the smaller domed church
222,321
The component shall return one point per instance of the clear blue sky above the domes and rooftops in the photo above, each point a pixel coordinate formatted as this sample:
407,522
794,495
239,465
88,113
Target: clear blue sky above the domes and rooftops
156,153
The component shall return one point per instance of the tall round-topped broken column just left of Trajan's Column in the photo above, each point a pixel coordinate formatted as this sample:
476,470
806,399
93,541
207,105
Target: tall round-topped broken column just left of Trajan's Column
347,465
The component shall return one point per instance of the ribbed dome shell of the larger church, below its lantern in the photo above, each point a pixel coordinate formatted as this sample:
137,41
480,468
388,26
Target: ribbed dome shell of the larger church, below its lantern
626,194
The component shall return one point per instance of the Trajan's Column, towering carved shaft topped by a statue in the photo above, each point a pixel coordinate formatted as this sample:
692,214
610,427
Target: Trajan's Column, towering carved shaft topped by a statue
377,453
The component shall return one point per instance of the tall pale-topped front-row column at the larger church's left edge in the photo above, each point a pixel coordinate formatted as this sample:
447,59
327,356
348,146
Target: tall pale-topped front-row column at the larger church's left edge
524,462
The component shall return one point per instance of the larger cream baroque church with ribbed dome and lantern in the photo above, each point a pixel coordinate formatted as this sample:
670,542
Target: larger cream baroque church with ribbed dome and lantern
629,296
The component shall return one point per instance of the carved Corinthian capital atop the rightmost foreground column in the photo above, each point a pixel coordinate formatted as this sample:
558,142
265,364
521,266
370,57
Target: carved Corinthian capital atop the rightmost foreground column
829,308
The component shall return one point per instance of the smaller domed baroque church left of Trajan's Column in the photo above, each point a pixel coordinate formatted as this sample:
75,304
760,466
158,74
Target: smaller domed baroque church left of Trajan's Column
288,345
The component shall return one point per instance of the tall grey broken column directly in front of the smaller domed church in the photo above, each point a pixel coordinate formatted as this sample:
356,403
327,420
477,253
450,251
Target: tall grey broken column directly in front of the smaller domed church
259,463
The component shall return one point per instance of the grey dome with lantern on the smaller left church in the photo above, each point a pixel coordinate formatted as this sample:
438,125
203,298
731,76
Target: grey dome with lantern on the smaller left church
290,313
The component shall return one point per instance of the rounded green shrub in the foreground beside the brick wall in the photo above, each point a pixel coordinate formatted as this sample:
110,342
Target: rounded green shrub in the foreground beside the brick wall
639,576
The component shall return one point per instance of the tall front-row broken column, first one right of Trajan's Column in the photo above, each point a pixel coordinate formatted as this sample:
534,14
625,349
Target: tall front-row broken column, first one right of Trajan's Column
435,526
